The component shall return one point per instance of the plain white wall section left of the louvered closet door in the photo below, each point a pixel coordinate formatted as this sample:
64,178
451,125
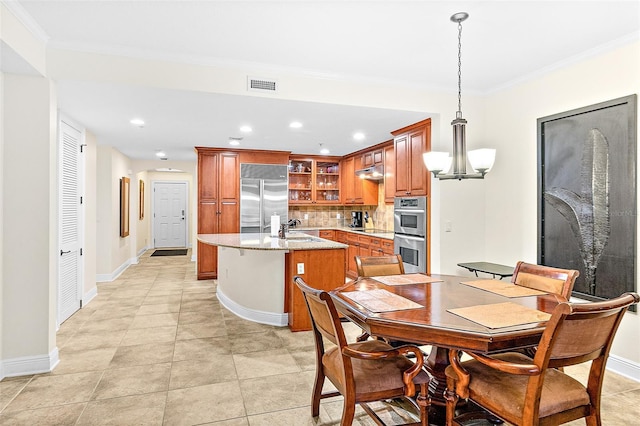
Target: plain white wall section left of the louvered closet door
29,241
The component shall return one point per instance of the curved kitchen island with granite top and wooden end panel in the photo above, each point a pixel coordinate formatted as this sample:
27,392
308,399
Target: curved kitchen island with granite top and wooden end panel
255,274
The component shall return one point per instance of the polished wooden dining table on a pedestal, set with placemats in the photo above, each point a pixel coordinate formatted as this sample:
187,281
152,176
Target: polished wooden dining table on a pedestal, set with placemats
446,312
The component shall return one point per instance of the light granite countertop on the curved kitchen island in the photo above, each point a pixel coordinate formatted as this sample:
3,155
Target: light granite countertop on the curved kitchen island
255,241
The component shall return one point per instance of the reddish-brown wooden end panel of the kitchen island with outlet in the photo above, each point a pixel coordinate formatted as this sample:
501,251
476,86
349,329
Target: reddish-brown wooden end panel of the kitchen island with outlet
323,270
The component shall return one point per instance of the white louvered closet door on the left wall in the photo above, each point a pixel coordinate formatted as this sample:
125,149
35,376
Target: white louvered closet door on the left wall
69,281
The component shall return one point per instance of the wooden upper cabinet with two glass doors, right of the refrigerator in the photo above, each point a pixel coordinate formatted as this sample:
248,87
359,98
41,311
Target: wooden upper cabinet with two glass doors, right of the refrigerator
314,180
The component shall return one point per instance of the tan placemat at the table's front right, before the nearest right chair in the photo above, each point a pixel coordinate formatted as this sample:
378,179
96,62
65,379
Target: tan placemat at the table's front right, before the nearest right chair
499,315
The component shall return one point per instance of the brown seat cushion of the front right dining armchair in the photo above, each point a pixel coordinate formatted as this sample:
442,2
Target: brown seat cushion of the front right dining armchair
492,388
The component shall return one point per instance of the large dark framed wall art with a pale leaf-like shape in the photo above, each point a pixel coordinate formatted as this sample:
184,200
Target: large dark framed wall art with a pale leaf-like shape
587,196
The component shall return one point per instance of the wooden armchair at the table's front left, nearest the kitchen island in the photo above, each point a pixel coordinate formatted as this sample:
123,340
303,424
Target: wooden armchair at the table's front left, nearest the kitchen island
362,372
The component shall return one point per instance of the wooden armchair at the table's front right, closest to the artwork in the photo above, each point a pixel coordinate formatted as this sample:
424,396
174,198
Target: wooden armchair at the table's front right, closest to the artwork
525,391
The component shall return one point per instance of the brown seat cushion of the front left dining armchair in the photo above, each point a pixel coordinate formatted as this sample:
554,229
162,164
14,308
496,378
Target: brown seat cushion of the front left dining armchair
371,376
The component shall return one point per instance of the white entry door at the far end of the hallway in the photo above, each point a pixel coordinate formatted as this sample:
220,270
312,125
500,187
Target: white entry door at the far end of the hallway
169,214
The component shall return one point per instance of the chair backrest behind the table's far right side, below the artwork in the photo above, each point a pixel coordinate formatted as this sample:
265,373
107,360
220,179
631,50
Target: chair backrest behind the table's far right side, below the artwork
545,278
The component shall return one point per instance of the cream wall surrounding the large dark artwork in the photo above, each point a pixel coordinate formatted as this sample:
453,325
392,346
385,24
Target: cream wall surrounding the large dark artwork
511,193
